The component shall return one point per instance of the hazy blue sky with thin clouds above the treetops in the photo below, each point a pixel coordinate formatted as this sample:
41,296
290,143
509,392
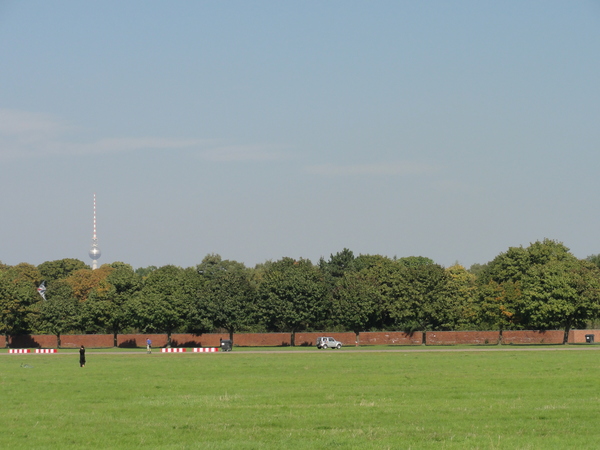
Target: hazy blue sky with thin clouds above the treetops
263,129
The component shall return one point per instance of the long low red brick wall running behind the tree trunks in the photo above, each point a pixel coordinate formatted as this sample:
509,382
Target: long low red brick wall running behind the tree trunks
302,339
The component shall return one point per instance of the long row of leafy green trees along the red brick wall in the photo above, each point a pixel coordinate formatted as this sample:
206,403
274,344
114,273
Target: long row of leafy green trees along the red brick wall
540,287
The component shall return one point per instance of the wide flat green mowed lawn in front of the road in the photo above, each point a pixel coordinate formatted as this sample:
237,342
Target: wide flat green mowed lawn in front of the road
303,400
